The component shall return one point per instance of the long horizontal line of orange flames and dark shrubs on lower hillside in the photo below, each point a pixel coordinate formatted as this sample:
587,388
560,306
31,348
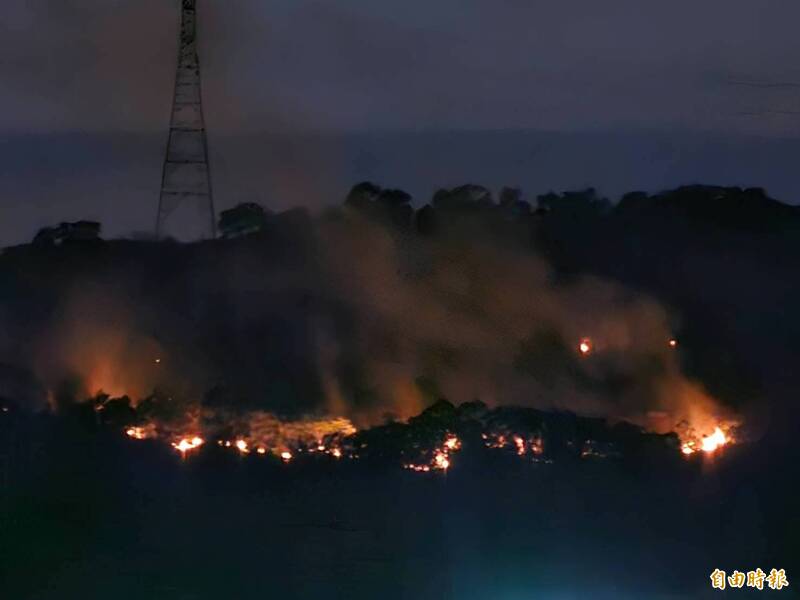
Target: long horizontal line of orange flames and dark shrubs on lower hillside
430,442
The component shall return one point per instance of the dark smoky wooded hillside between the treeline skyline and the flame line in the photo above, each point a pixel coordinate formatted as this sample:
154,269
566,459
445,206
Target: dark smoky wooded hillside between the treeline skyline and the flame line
375,308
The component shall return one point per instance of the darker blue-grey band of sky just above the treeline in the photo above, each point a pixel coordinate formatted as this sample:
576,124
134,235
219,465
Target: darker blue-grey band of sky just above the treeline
114,178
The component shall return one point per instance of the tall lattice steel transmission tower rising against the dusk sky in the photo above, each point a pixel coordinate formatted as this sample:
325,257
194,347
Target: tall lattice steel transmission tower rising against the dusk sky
186,177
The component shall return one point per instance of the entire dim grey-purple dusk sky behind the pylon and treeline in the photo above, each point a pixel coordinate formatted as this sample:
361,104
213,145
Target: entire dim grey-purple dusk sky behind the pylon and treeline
303,99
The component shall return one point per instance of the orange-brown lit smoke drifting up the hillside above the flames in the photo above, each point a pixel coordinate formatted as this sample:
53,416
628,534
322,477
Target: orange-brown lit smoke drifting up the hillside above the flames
348,316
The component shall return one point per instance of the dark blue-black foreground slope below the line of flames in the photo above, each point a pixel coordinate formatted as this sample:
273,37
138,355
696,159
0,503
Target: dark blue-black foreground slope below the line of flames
94,515
